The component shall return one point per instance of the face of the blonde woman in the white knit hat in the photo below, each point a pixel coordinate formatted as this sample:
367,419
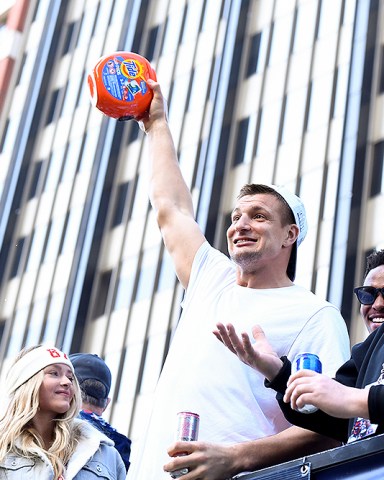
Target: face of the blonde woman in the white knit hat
56,391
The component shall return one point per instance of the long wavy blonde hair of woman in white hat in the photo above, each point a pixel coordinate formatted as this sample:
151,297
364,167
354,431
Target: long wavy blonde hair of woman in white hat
16,424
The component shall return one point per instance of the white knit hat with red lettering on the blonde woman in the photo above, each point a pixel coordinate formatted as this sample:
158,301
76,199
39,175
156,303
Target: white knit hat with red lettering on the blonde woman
31,363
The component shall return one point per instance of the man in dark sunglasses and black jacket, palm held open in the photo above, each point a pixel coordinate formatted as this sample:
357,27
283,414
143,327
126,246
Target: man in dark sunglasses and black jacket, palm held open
351,406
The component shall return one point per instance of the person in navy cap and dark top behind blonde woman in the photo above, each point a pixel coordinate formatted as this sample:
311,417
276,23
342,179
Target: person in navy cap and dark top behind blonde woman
95,380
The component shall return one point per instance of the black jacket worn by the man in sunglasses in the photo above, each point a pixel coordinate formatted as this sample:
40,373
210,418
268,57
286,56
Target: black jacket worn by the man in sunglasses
363,368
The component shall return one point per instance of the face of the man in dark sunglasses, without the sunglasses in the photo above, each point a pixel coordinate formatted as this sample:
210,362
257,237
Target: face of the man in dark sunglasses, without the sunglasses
373,315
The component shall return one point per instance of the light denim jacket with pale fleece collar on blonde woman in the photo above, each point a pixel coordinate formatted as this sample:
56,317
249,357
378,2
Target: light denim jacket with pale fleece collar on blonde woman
95,458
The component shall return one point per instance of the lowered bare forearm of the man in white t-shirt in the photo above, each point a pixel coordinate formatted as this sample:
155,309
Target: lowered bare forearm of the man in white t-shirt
289,444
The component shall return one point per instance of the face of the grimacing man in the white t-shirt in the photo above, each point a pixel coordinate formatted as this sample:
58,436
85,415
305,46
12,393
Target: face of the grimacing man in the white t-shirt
256,233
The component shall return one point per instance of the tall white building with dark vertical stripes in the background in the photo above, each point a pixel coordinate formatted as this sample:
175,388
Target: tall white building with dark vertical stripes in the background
266,91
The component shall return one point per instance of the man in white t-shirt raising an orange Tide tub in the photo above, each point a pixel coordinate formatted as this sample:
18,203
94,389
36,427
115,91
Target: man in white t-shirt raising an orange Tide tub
241,425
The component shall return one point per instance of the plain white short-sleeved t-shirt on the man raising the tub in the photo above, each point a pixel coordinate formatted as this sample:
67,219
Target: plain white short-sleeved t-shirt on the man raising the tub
201,375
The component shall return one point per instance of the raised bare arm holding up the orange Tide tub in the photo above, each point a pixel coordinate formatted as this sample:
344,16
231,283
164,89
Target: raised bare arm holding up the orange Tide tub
169,195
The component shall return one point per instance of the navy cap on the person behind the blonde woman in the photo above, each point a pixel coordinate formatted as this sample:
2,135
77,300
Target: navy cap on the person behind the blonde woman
89,366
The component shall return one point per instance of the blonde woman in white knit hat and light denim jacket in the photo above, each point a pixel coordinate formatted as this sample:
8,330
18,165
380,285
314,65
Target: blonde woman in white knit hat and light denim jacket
40,436
